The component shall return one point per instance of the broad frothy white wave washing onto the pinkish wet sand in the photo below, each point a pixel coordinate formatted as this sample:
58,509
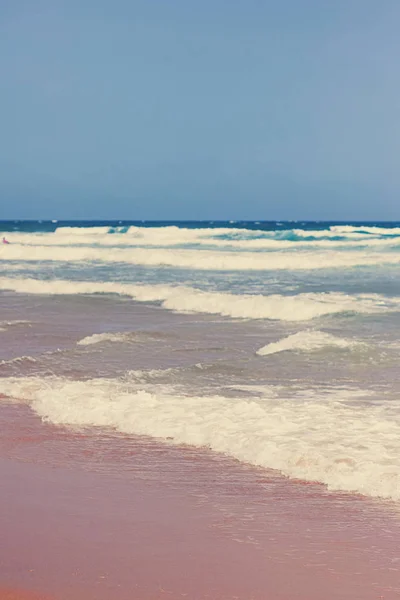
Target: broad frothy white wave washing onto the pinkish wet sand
332,438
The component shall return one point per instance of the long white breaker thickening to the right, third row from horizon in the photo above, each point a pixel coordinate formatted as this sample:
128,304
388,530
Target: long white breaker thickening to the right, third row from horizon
301,307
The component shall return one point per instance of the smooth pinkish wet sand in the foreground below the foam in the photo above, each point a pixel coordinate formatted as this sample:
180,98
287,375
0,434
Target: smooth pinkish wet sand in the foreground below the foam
98,516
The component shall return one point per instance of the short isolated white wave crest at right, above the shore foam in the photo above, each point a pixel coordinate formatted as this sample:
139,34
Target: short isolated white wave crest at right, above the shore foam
307,341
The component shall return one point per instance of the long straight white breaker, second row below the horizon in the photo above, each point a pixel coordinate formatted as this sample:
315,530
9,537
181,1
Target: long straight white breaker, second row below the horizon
203,259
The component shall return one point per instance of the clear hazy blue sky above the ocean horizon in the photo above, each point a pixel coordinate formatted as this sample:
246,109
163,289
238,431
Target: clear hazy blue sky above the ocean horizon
200,109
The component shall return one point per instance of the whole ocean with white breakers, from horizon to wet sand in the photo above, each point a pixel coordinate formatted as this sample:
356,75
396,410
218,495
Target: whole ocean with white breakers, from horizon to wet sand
272,344
